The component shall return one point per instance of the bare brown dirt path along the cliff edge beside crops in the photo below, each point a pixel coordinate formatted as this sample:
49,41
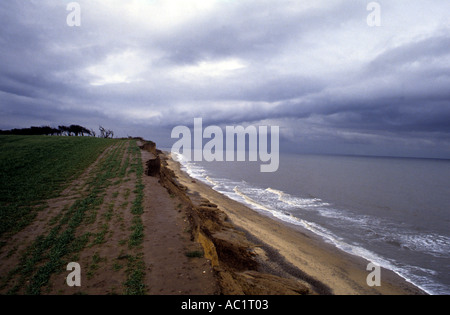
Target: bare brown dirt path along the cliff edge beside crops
167,245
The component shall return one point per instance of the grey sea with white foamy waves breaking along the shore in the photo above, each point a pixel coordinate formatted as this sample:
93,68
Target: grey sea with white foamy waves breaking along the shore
394,212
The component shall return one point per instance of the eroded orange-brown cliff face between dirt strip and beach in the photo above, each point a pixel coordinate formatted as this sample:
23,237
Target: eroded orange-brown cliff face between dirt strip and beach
228,249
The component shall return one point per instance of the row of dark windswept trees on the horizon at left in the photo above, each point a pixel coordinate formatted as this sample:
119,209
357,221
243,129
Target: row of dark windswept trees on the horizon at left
72,130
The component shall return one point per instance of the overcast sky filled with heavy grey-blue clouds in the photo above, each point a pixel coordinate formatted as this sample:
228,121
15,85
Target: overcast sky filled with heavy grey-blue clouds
333,83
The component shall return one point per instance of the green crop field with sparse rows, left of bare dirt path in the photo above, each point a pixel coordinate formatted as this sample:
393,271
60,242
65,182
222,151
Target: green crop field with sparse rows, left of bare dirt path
100,215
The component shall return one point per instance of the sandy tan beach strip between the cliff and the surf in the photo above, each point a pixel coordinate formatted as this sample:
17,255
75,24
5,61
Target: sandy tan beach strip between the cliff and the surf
291,251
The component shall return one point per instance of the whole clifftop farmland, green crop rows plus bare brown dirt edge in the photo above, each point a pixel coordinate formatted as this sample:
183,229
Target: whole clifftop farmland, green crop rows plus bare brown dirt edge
87,201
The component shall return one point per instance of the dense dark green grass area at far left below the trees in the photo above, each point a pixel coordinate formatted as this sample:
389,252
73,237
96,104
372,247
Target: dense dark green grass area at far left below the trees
36,168
